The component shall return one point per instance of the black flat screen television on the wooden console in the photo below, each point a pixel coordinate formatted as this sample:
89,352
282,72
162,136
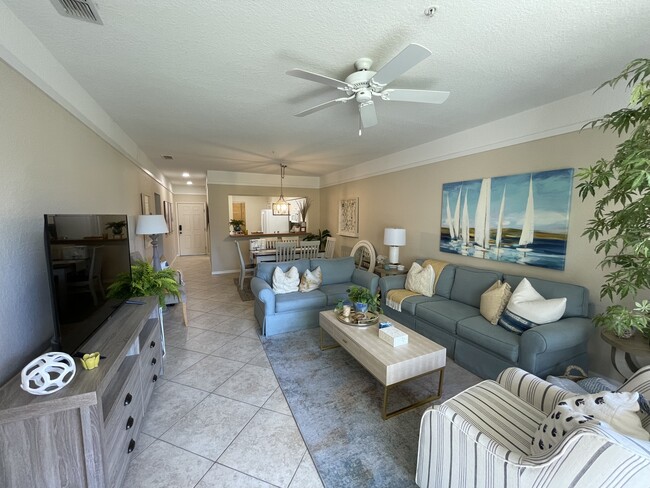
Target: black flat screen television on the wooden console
84,254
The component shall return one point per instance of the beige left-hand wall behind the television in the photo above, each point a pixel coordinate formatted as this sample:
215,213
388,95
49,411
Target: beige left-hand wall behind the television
51,163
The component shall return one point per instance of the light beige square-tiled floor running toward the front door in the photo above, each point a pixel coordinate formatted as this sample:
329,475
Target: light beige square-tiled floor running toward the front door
218,418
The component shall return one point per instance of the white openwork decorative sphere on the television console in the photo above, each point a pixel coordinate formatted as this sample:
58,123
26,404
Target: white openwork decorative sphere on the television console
48,373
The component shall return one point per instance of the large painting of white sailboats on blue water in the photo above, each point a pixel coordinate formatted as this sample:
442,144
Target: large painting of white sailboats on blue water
521,219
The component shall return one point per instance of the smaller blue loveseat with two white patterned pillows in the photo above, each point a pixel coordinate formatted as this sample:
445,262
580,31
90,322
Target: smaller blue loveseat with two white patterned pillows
293,311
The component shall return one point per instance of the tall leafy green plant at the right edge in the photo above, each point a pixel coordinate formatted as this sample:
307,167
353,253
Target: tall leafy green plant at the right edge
620,225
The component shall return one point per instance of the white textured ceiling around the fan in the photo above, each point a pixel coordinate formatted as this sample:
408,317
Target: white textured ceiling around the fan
204,80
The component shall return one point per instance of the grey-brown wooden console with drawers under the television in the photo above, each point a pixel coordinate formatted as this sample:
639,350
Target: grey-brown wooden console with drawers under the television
83,435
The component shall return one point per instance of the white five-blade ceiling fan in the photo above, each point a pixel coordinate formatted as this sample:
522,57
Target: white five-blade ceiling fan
364,84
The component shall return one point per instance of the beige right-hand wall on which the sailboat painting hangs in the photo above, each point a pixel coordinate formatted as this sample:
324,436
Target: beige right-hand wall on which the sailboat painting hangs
412,199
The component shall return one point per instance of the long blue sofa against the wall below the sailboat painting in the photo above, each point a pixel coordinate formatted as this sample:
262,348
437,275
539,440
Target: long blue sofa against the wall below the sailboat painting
451,317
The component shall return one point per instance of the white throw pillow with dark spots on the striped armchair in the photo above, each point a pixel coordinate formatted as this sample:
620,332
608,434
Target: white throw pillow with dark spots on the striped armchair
619,410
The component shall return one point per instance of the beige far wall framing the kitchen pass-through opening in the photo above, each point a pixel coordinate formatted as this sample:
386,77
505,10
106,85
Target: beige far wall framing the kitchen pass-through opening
222,248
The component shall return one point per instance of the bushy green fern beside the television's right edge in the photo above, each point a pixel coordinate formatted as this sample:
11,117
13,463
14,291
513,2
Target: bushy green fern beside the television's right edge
144,281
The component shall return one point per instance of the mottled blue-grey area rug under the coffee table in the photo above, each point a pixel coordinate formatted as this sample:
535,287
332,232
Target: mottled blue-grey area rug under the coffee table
337,405
